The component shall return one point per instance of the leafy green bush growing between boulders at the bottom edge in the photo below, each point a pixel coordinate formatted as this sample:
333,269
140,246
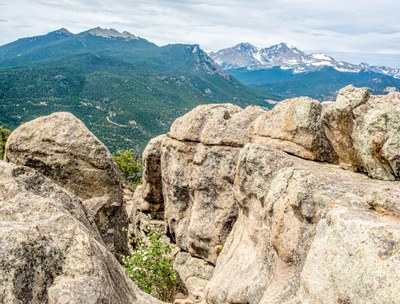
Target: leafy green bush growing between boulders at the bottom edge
150,267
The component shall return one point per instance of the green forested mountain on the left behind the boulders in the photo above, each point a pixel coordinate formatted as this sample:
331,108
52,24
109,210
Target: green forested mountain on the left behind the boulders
125,89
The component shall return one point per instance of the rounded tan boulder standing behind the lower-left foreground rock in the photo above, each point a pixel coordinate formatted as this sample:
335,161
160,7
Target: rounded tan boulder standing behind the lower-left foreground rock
63,149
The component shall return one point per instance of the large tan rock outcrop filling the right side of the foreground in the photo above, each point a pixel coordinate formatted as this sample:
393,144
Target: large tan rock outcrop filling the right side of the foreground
299,204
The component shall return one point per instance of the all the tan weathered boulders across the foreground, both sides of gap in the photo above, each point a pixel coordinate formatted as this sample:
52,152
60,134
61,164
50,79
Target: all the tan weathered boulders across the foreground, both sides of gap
296,205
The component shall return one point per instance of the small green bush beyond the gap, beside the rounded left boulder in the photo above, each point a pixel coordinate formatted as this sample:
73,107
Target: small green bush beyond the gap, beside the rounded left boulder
130,164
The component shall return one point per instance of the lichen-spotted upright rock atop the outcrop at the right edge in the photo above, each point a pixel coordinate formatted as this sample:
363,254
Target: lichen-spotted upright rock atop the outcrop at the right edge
365,131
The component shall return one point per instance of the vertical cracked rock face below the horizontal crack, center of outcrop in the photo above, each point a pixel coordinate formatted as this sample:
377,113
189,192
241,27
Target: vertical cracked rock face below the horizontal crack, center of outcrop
199,206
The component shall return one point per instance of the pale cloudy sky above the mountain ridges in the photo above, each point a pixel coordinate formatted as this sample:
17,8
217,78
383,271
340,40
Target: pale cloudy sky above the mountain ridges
354,30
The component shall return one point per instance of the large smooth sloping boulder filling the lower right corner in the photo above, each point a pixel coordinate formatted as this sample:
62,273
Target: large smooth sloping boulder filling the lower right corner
308,233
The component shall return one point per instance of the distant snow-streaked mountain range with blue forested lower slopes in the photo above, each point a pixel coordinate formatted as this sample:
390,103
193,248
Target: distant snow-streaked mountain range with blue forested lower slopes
284,71
